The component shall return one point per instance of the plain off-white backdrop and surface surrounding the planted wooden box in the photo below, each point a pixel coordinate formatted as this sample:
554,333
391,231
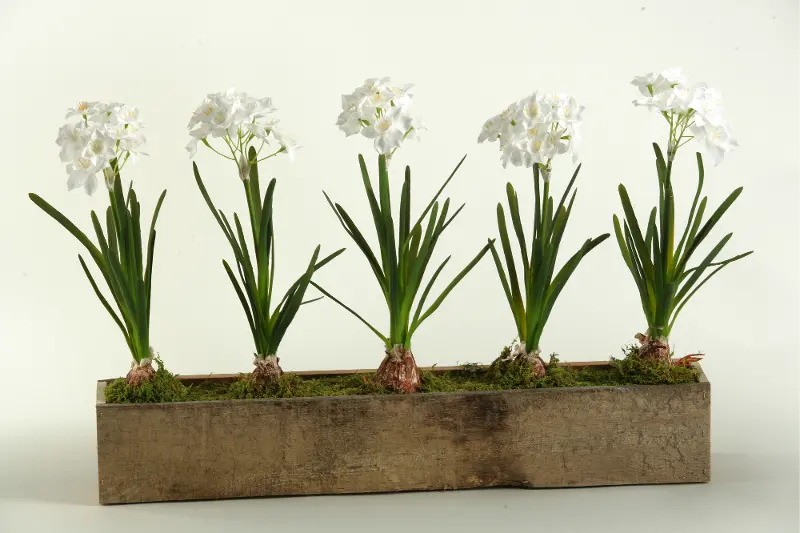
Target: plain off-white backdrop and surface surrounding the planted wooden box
467,60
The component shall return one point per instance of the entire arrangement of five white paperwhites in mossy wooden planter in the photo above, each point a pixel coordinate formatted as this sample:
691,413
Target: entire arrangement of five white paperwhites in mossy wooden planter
355,431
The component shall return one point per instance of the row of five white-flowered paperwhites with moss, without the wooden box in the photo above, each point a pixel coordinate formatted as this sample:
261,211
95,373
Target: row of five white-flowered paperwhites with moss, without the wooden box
531,133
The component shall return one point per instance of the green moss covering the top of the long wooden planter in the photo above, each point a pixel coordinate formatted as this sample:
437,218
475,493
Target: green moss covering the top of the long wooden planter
505,375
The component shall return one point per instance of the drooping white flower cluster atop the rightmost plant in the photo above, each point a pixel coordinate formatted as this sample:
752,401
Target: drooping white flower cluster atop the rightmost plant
696,109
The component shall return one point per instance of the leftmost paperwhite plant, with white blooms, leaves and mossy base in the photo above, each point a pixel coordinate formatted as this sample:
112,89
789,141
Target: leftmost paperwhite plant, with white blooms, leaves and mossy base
96,144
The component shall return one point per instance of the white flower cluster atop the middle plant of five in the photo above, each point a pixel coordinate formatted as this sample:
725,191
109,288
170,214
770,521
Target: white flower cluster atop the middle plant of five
379,110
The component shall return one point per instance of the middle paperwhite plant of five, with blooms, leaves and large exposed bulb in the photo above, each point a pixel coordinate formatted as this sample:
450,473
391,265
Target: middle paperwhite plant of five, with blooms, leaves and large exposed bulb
380,110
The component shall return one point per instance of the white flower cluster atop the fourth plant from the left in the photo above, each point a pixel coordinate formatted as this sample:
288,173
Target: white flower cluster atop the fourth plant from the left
535,129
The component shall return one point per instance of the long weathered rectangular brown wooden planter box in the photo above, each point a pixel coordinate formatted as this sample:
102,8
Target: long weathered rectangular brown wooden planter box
559,437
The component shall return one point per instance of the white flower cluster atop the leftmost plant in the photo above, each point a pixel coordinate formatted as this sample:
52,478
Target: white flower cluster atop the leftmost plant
103,133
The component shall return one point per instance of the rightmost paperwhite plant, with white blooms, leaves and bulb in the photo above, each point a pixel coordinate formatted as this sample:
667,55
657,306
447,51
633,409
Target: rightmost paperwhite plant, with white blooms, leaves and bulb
661,269
